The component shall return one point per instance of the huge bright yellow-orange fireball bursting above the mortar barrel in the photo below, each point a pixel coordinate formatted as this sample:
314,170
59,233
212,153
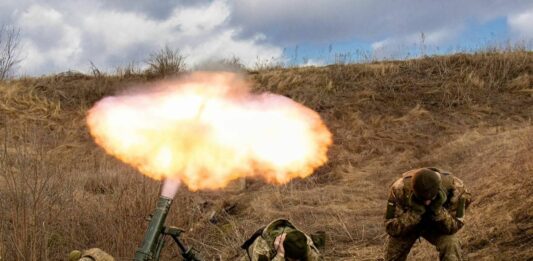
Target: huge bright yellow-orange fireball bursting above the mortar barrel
207,129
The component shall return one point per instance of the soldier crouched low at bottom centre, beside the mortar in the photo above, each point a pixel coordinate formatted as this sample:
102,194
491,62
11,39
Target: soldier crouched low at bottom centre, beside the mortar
281,241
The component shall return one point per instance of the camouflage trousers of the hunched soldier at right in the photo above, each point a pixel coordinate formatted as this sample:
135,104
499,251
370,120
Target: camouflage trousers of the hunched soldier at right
448,246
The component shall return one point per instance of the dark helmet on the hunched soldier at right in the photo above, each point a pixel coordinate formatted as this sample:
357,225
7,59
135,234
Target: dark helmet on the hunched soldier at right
426,184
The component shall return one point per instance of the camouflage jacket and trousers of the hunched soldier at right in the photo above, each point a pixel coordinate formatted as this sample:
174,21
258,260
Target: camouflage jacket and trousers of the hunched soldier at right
405,226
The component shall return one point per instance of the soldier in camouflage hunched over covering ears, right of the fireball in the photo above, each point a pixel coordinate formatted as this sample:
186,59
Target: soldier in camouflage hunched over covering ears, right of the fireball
426,203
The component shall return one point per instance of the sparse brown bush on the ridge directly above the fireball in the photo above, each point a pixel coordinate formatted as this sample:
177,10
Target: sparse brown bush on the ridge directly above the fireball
166,62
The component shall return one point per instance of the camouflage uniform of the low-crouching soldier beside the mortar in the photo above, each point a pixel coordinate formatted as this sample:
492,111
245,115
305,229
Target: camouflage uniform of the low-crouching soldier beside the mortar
263,248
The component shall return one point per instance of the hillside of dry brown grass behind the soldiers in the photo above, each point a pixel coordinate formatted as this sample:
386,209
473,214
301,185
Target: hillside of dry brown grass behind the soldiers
469,114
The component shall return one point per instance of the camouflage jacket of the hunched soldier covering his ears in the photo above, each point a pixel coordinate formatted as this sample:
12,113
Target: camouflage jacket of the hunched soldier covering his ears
405,221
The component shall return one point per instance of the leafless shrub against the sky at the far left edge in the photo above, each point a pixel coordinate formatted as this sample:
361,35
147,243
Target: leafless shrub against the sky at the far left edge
9,50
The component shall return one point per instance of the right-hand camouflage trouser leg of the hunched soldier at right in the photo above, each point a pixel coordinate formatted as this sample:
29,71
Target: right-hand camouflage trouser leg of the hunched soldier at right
448,246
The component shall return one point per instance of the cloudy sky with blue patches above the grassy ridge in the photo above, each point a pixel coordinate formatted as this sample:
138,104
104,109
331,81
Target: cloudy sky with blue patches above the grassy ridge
60,35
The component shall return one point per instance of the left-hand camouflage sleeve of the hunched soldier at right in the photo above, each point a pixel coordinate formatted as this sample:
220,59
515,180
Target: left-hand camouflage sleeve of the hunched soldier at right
402,221
